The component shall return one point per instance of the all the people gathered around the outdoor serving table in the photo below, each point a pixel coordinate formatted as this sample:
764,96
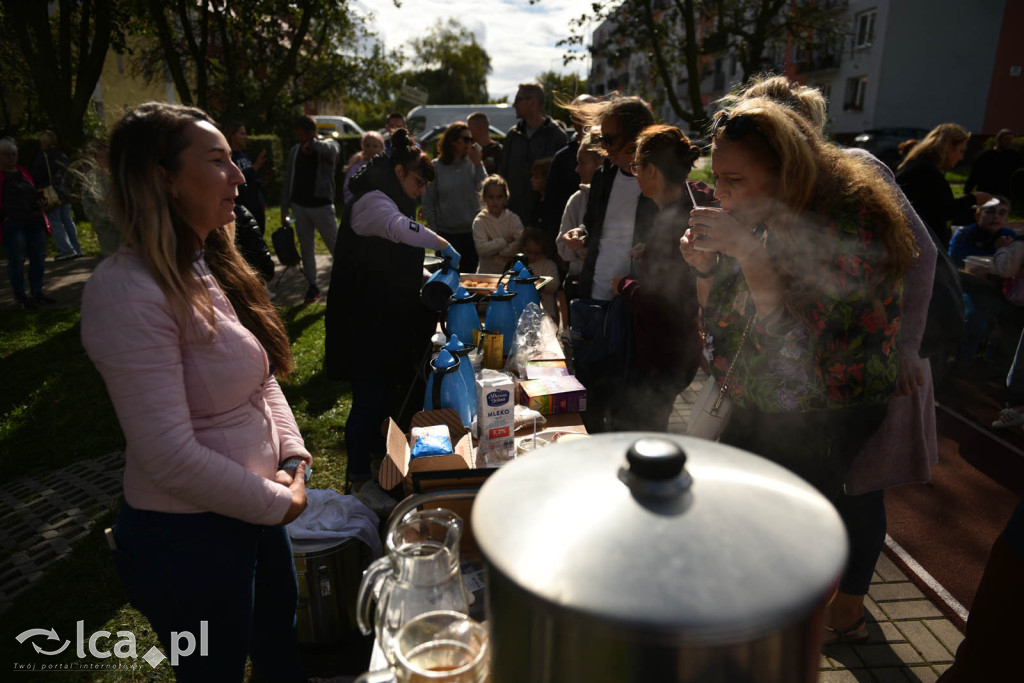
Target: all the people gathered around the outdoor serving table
805,282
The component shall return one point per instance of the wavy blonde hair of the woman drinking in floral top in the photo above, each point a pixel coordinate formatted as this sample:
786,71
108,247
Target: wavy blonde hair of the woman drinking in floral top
816,182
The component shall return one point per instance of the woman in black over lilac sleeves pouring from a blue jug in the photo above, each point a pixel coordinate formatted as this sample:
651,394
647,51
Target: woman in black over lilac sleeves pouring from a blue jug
378,330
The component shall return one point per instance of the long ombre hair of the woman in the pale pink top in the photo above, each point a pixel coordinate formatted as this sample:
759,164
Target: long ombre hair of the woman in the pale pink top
152,138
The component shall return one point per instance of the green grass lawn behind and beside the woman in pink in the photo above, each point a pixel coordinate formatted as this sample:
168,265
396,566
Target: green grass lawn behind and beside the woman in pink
55,411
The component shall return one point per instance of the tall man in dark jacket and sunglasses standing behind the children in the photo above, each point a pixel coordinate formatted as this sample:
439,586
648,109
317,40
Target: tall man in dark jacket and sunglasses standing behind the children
536,137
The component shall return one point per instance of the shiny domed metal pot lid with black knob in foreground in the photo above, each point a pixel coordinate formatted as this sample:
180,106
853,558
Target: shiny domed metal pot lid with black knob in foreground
663,532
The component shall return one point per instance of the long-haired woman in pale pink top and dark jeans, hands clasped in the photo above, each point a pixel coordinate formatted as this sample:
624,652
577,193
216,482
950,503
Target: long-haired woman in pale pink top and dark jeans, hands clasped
188,343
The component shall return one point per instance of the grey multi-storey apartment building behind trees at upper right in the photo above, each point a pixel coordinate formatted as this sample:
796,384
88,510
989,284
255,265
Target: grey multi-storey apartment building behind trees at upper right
899,64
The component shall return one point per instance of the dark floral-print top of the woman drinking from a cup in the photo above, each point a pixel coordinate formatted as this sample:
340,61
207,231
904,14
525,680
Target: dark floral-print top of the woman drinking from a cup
847,358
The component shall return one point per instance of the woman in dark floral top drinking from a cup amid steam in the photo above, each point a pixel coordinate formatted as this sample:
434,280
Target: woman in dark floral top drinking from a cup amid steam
800,274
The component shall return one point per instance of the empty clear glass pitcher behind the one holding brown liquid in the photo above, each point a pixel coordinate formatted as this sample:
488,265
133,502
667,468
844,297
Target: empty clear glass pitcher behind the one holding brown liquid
419,574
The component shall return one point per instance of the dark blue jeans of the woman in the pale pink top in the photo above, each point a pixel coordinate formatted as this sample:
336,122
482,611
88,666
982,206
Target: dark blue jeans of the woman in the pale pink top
181,570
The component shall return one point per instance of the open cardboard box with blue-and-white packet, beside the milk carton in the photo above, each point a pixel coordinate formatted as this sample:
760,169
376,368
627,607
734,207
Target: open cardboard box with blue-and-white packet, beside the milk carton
440,472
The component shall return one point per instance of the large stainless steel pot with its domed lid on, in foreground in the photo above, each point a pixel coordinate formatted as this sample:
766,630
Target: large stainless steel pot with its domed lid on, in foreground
655,558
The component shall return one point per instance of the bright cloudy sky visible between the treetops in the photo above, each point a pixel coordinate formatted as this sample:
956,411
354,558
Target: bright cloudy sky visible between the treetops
521,38
